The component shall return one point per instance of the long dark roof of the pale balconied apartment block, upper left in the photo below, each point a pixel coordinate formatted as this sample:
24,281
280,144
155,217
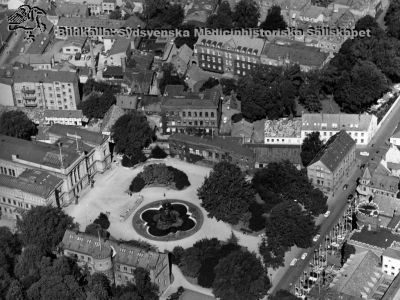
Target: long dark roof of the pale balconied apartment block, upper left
44,76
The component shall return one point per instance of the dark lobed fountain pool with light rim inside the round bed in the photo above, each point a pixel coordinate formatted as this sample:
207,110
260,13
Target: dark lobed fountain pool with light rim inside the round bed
167,218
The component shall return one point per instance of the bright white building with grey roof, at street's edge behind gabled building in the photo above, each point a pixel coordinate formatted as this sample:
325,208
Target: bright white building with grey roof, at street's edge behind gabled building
360,127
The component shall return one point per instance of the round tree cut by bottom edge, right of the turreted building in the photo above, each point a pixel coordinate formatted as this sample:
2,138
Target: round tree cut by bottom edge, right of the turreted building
240,275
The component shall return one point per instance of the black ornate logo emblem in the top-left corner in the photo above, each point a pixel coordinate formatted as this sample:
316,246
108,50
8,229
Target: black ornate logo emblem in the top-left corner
28,19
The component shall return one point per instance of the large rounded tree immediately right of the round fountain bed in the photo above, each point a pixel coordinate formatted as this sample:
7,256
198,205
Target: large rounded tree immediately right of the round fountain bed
225,193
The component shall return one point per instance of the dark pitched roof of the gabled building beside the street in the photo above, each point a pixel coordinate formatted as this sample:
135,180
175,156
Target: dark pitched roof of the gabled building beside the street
335,149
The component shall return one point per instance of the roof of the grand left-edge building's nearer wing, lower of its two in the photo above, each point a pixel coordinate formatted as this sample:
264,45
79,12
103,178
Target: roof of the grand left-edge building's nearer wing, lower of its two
35,182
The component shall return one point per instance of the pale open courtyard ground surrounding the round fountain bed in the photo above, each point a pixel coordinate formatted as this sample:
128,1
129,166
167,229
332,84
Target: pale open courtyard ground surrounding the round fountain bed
109,195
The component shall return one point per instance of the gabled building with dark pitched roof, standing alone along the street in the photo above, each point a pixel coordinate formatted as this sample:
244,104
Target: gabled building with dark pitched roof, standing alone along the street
332,163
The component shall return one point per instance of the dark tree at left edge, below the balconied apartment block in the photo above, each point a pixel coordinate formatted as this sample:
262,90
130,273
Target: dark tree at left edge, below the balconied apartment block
15,123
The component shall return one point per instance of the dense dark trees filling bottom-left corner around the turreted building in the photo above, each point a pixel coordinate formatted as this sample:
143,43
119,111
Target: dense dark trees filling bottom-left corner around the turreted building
29,268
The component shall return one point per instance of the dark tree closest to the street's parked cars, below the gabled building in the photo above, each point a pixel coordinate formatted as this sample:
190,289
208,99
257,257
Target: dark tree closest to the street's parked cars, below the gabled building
288,225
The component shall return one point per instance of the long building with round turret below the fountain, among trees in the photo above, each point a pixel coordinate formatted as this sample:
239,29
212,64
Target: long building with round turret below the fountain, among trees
116,260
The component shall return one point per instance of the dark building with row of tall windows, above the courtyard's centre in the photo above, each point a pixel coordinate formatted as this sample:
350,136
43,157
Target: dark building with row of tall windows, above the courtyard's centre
192,110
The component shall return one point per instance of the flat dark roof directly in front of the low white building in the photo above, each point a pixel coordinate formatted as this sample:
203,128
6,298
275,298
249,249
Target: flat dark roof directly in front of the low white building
266,154
